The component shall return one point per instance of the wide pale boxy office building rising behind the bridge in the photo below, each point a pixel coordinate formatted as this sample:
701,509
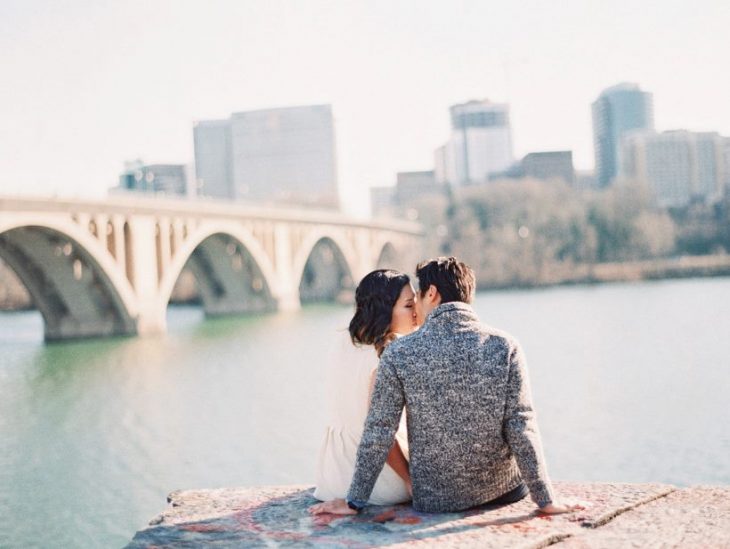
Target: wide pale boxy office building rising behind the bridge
284,155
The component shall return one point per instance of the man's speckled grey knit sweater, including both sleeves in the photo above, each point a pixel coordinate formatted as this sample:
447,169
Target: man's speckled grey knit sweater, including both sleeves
472,432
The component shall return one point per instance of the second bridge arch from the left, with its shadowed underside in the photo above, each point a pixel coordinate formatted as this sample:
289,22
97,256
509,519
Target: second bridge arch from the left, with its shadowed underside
233,272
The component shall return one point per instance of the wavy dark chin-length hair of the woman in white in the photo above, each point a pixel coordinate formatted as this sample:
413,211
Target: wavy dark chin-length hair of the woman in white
375,298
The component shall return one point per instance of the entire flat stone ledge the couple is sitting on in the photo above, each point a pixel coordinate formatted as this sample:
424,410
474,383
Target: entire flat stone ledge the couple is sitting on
620,515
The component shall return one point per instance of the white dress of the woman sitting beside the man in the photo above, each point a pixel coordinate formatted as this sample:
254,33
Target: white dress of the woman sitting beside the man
351,369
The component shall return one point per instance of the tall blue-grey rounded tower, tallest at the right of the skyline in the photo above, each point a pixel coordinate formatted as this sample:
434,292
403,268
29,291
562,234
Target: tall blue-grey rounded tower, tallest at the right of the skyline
618,110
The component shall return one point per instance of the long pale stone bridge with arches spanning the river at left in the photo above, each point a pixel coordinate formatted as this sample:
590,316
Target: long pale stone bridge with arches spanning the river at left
99,268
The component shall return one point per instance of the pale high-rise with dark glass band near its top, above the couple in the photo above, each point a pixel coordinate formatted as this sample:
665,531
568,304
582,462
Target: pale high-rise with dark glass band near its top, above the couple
480,143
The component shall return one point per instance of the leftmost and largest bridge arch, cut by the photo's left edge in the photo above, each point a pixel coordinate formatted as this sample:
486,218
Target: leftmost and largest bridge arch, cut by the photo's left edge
72,278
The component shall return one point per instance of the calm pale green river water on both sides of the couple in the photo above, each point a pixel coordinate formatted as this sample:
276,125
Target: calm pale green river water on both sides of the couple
631,383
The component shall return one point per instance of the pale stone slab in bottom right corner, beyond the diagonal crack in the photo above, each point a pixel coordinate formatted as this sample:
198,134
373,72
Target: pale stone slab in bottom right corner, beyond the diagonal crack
694,517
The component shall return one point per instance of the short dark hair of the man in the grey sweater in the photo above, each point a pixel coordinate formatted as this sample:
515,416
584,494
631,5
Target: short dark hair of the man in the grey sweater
454,279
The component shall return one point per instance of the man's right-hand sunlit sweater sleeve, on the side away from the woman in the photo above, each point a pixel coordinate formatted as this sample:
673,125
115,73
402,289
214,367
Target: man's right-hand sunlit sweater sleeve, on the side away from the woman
521,431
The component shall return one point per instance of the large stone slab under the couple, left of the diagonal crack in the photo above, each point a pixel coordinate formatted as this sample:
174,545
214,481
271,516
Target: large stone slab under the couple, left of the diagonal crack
278,517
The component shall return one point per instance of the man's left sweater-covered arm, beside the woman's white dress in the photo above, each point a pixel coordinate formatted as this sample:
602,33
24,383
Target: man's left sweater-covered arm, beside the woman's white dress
378,436
